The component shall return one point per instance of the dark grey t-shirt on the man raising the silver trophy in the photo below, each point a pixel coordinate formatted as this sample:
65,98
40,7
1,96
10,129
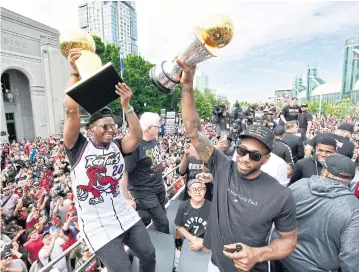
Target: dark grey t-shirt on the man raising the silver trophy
243,210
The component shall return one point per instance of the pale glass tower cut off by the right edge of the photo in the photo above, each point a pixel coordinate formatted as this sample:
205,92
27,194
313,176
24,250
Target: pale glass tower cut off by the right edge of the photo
351,65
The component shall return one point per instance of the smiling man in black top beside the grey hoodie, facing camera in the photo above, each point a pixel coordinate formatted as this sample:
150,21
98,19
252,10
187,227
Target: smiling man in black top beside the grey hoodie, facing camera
307,167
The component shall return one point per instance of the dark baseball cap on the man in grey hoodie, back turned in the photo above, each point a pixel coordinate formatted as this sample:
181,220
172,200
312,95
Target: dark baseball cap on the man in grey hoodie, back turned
340,166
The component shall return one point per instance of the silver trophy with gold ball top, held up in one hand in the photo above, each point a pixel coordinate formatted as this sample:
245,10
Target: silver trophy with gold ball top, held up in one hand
215,33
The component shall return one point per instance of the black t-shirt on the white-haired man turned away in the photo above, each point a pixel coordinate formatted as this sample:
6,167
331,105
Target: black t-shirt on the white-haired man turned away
144,167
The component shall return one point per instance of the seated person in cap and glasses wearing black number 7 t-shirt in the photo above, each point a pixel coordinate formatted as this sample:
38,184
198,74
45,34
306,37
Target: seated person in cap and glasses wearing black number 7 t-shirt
192,215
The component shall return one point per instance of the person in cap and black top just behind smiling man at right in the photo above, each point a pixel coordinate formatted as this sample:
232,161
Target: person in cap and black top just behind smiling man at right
342,135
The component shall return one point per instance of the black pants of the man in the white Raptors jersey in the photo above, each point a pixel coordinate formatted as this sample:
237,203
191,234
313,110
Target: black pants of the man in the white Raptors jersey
115,258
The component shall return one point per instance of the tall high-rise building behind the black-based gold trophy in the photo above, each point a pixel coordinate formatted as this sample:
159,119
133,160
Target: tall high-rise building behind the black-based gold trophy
113,21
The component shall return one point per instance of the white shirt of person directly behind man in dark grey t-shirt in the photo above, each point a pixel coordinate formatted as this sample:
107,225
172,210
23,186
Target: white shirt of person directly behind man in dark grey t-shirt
276,167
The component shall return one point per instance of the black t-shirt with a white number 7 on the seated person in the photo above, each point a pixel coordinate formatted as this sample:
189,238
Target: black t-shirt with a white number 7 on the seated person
193,220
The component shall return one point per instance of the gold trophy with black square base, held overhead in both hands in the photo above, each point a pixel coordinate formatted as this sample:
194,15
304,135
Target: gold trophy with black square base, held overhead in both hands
96,88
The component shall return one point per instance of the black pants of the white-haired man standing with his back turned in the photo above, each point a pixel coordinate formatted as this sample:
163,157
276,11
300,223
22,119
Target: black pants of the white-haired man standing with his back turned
154,204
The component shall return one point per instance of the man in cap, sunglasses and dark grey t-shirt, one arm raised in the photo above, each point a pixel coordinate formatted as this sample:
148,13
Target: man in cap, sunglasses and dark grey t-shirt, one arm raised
246,201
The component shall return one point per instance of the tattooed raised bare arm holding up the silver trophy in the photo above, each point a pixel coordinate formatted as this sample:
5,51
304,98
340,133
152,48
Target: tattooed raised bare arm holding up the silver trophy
190,116
